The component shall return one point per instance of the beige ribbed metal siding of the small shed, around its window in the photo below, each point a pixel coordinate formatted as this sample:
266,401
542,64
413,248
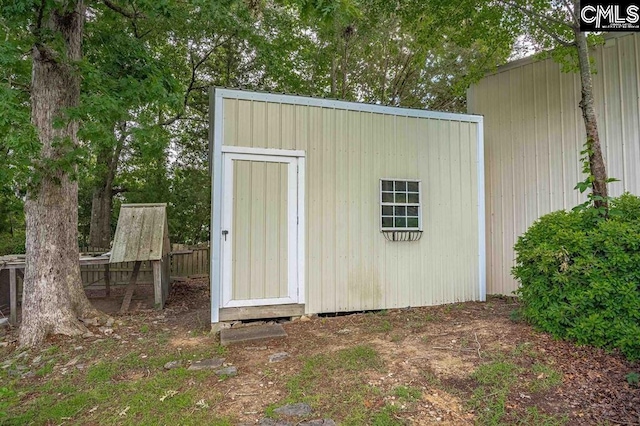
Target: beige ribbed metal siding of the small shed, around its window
349,264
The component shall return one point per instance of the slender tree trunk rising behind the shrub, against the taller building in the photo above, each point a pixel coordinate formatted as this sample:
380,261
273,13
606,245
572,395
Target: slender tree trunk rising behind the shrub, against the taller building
596,162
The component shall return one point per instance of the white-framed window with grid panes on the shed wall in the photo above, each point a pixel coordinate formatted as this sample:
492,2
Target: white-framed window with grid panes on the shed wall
400,205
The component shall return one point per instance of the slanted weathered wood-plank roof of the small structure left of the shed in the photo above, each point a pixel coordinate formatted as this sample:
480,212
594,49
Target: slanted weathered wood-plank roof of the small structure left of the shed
142,233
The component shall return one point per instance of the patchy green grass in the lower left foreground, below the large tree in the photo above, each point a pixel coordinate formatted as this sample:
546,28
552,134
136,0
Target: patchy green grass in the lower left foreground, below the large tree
111,391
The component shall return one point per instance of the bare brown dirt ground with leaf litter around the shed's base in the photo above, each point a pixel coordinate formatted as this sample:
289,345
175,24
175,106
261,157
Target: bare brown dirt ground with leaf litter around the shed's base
435,350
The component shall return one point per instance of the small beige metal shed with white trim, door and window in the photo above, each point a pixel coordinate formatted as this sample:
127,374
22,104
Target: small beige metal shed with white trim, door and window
328,206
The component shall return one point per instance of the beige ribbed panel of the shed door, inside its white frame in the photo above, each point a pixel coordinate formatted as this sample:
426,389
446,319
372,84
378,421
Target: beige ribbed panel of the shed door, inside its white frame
260,224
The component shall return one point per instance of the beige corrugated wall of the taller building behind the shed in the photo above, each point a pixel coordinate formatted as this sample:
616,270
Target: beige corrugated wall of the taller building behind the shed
533,137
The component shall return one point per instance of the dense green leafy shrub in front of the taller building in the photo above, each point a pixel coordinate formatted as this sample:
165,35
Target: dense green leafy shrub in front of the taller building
580,276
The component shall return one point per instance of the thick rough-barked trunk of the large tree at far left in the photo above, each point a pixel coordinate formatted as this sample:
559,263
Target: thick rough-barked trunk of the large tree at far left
53,296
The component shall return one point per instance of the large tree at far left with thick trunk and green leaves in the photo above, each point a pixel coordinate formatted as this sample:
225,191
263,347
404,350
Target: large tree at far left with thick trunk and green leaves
58,91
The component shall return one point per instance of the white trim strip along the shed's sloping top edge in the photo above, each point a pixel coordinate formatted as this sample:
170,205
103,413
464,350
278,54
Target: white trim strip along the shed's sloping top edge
350,106
